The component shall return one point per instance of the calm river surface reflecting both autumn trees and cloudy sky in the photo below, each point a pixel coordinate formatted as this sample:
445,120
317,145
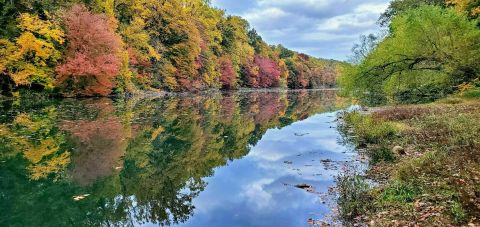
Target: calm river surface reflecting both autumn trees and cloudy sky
184,160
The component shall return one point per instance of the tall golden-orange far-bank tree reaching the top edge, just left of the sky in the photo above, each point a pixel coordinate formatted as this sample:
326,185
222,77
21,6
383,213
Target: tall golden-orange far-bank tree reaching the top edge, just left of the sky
172,30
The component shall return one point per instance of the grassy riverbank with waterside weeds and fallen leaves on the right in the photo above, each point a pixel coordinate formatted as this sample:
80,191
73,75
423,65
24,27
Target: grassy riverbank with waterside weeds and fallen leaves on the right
424,160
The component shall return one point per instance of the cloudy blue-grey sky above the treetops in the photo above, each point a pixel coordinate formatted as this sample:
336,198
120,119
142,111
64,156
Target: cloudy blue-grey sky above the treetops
321,28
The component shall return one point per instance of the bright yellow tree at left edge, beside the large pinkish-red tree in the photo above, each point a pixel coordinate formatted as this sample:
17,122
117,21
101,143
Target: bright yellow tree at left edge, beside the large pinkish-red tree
29,61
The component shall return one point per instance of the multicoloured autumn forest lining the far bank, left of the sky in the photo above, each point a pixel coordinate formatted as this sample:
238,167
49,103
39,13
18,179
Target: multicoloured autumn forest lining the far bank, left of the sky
77,48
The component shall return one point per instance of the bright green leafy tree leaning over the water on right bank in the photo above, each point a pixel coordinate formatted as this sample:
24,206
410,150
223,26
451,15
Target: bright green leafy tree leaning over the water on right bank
429,51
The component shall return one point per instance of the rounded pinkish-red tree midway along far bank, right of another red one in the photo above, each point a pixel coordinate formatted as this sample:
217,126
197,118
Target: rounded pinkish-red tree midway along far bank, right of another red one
269,72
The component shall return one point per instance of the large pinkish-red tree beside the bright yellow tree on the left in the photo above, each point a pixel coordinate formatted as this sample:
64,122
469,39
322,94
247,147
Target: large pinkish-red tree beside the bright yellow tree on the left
92,55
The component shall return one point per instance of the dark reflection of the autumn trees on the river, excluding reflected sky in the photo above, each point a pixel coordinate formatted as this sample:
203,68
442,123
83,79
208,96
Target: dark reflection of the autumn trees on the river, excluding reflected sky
139,160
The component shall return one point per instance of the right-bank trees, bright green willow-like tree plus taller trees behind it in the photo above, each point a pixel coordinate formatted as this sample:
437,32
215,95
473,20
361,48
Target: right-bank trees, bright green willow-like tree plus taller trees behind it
428,49
